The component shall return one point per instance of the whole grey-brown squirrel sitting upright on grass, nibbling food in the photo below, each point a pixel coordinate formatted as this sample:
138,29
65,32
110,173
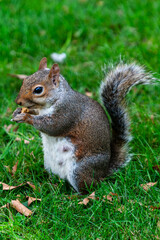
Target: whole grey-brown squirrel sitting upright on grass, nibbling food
79,142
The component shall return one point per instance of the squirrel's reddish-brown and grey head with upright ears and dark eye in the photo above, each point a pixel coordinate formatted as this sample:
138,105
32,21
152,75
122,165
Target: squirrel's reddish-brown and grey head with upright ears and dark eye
42,88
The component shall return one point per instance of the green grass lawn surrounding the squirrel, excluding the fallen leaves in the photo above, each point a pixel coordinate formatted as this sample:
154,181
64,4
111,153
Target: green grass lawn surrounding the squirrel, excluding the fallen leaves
92,33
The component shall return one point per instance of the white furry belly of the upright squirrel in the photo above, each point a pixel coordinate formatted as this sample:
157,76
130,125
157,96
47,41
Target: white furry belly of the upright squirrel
59,157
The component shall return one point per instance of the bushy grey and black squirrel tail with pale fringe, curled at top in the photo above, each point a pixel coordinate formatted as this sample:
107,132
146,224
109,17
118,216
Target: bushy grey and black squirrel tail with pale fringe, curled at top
113,90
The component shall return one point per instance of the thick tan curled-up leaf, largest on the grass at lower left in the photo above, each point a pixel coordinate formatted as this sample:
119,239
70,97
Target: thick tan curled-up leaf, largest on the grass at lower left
16,204
